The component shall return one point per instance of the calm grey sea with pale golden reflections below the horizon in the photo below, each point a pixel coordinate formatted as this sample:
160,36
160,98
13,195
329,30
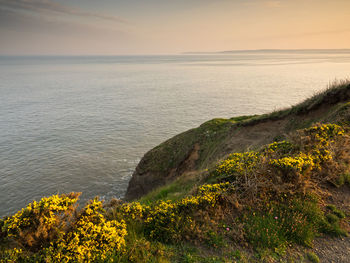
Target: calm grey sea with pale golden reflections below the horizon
83,123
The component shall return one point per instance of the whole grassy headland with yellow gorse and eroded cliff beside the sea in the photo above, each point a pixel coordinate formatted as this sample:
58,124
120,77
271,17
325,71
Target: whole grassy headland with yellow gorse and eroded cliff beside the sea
228,196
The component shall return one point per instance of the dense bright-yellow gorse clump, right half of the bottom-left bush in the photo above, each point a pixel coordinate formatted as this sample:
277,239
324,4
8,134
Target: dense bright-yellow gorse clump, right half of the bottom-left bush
91,238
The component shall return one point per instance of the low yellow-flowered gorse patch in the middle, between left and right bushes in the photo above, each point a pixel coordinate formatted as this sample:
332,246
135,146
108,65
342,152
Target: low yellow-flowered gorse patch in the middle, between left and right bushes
170,221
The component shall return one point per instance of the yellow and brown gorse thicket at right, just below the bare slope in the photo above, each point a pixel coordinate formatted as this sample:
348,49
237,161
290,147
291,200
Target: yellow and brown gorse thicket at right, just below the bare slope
287,166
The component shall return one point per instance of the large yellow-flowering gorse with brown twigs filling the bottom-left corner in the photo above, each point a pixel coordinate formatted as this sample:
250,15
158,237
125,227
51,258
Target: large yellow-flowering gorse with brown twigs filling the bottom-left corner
85,237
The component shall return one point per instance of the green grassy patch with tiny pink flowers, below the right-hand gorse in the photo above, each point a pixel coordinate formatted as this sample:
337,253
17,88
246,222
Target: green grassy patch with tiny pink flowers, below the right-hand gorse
297,221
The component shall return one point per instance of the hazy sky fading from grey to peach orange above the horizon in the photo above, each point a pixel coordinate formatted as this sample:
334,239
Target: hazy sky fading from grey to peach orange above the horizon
125,27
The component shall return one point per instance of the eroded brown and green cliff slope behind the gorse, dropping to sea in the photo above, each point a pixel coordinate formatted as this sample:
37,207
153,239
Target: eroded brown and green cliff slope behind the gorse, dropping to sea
201,147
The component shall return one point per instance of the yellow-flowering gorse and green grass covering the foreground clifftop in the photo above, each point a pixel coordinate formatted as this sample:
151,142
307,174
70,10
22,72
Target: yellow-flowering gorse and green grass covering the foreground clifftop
251,206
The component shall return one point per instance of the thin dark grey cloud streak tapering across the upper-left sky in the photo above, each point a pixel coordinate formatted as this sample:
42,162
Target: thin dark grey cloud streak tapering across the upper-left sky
51,6
